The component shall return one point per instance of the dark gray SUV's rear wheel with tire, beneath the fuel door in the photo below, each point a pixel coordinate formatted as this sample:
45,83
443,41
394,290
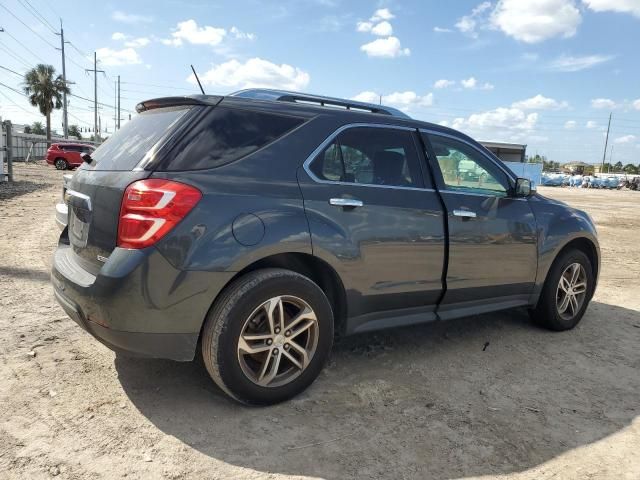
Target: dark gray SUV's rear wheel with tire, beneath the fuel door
268,336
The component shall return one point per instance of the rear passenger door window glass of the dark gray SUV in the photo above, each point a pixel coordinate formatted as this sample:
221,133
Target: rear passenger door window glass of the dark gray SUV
371,156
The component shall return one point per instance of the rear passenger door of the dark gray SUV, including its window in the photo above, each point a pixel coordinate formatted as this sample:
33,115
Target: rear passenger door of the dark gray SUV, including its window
375,221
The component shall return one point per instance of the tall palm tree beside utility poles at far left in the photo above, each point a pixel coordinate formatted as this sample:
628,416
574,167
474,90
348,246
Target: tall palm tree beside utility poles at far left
45,90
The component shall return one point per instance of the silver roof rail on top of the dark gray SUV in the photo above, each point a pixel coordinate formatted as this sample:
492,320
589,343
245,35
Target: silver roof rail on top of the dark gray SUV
317,100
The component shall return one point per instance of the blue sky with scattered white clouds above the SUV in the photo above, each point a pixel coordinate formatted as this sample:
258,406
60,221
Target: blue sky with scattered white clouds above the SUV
542,72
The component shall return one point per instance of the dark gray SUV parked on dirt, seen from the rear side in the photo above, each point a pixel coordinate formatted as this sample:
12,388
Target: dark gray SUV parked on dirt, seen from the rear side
261,224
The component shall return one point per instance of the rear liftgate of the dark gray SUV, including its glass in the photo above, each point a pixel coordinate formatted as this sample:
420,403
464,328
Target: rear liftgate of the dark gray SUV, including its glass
94,195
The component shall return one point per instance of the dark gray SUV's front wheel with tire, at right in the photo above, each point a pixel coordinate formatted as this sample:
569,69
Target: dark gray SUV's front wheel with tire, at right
566,293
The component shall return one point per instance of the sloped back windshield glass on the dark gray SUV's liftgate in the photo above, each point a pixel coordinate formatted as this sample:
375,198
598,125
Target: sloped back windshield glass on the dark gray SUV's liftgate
125,148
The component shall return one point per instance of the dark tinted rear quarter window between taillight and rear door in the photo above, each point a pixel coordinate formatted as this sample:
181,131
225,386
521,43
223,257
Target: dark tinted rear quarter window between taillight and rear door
225,135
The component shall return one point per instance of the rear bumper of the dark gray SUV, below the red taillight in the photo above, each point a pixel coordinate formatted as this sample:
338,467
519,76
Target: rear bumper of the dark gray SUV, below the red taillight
136,302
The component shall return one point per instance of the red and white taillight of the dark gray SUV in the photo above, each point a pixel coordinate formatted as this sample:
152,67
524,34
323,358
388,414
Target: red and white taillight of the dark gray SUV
151,208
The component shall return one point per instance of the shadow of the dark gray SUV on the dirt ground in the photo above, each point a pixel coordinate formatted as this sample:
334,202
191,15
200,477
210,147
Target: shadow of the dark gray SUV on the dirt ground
490,394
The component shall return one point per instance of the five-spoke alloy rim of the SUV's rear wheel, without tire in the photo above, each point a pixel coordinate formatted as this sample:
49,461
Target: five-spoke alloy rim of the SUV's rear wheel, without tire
278,341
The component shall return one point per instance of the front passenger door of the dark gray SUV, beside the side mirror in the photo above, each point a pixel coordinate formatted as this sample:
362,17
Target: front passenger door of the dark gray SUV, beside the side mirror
492,234
